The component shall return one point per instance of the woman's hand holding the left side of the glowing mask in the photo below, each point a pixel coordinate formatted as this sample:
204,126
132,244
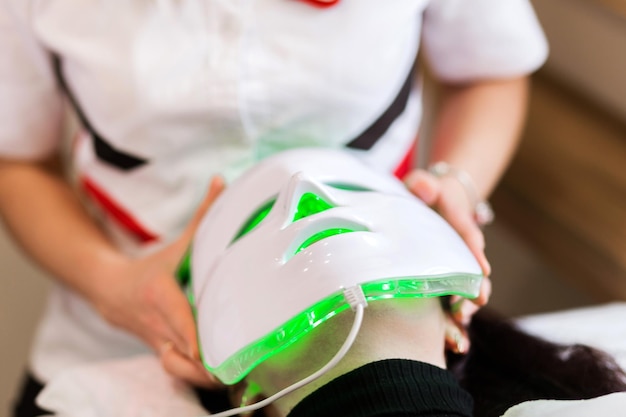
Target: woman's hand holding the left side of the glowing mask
143,297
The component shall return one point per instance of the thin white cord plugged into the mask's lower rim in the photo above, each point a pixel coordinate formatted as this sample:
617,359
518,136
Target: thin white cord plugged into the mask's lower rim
355,297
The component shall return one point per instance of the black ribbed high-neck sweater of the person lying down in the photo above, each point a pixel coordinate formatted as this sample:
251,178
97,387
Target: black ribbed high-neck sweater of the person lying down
389,388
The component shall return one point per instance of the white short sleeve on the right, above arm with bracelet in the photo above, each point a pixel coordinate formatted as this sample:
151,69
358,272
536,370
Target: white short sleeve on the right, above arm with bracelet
466,40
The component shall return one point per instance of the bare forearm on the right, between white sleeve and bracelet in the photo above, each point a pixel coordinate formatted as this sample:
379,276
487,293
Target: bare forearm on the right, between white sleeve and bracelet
478,128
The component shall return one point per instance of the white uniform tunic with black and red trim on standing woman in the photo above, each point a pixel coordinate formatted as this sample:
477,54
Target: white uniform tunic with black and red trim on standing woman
175,91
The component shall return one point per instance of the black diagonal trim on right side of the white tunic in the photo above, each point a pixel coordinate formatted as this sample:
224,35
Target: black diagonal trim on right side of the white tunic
376,130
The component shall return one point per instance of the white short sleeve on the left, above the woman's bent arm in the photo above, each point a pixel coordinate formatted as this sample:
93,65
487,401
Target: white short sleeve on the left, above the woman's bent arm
30,102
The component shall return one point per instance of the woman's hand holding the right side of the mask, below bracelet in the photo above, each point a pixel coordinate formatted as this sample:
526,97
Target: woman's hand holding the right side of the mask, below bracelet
447,196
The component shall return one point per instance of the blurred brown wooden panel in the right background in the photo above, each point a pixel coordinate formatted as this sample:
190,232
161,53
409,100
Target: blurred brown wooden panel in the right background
565,192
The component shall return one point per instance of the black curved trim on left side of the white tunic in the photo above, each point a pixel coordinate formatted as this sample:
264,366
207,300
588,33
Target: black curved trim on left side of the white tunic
103,149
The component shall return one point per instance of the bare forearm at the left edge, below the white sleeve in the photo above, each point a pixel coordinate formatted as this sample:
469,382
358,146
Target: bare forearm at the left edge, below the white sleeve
42,212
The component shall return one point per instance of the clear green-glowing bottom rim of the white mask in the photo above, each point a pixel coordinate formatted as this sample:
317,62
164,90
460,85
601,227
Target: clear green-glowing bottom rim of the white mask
238,365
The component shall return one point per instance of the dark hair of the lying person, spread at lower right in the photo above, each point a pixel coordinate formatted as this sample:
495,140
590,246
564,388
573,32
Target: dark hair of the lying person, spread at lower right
506,366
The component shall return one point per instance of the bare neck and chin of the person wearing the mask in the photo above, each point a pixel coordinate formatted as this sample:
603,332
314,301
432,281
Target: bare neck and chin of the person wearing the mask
402,328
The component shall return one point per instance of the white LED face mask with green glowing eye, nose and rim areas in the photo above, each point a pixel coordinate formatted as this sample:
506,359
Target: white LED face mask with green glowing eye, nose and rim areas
273,254
